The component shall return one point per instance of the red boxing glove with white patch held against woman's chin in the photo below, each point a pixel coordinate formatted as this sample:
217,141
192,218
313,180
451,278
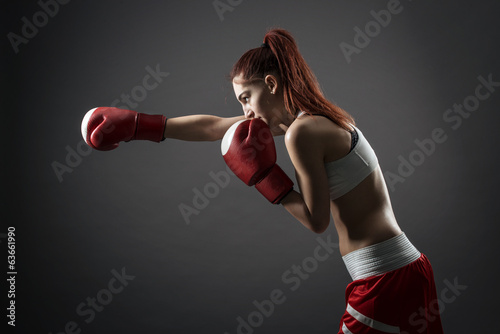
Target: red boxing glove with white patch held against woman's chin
248,149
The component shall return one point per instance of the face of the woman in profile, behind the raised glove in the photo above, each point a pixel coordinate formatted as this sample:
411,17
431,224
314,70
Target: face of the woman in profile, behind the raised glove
263,98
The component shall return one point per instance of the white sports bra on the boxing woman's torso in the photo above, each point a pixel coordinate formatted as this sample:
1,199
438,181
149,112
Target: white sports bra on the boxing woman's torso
347,172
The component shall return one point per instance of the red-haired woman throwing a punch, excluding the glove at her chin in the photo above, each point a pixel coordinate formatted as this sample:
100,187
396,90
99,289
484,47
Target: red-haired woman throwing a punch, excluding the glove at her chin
393,288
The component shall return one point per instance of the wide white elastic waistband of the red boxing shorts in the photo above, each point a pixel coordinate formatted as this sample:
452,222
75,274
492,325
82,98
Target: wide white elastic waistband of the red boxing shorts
381,258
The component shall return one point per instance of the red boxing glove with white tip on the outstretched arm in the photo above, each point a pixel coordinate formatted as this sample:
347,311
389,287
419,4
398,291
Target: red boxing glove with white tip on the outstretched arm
104,128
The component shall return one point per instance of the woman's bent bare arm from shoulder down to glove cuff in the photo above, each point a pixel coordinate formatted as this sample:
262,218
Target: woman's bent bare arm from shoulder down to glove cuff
312,205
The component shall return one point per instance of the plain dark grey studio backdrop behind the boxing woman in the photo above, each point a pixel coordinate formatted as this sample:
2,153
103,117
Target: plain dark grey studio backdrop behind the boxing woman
159,238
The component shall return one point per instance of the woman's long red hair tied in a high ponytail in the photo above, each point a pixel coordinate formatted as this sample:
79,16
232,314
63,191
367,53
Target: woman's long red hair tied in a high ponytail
280,56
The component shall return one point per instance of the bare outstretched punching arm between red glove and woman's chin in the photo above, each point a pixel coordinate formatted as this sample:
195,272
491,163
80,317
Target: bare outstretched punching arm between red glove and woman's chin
199,127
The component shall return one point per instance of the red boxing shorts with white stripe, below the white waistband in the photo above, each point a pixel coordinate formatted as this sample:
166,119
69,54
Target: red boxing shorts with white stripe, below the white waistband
399,301
